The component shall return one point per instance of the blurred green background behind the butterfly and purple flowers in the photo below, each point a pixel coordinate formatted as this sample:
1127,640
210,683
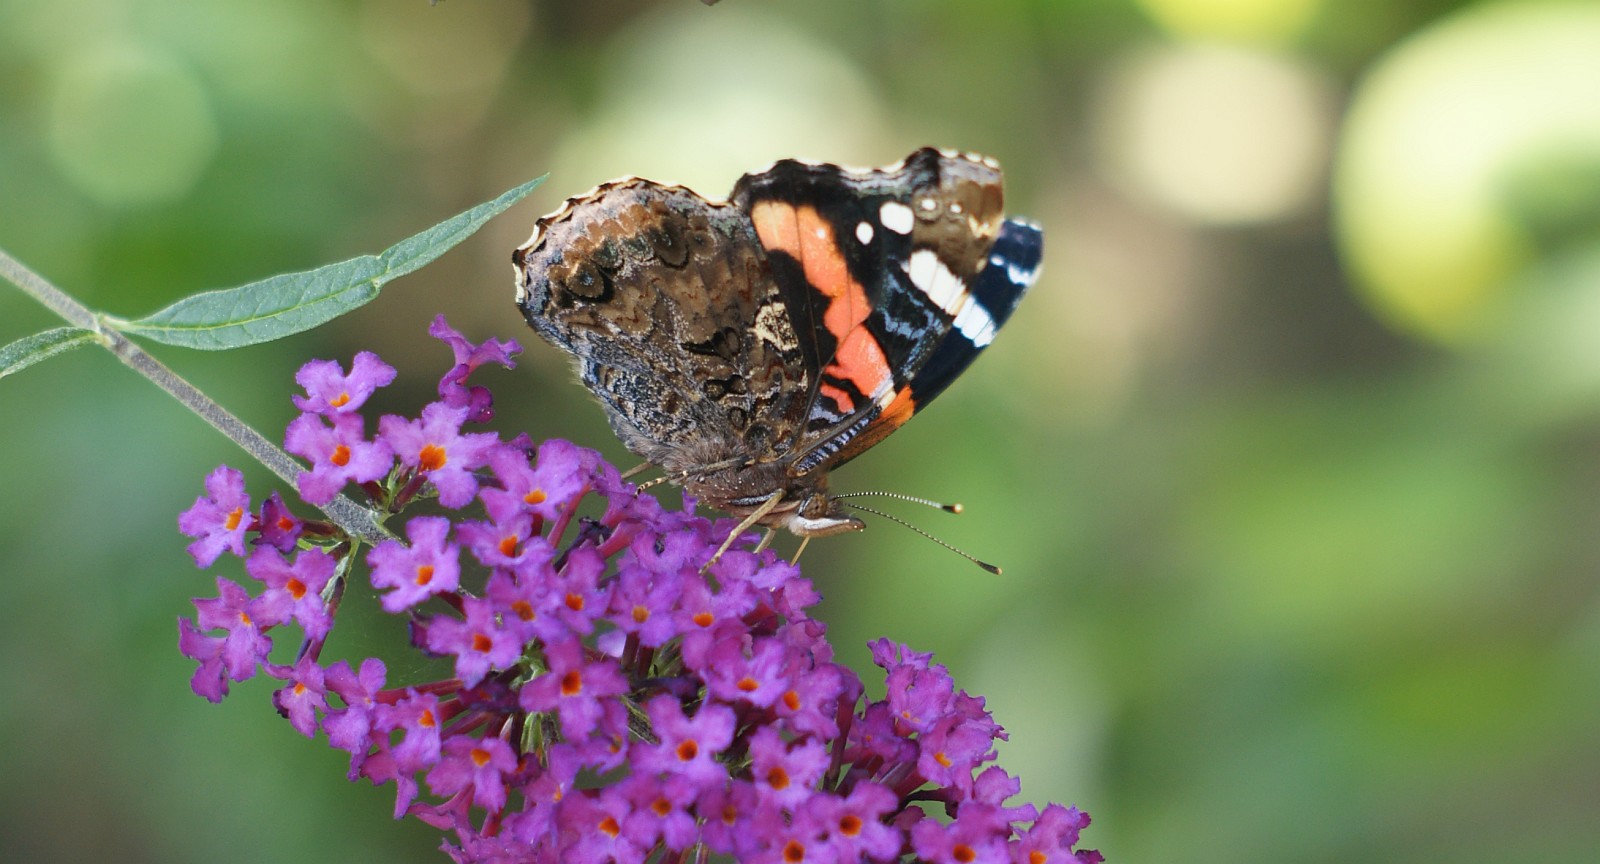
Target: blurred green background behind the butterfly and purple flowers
1292,460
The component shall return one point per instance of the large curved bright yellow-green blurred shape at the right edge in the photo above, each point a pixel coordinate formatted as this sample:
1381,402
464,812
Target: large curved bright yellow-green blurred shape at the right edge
1431,142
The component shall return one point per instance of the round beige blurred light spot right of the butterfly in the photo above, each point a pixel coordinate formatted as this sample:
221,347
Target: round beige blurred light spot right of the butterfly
1214,134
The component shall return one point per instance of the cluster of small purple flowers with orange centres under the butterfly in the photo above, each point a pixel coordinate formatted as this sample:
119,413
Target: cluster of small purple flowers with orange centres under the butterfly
614,697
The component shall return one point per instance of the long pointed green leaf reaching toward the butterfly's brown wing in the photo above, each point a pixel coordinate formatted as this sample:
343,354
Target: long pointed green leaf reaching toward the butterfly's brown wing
292,303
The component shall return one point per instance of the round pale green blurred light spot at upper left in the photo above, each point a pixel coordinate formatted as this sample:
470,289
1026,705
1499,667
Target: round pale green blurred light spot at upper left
129,124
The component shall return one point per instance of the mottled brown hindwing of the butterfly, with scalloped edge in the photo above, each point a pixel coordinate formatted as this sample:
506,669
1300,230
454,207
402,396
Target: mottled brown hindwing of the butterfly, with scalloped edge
670,310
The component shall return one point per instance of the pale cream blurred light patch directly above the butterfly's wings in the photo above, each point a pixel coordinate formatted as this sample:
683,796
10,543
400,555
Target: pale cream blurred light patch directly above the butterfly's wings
698,100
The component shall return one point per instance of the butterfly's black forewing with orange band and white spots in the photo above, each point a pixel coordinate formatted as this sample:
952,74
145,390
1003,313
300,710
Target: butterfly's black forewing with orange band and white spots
884,274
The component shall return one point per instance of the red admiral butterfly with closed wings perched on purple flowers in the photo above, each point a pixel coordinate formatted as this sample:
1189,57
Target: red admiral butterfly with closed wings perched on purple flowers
753,346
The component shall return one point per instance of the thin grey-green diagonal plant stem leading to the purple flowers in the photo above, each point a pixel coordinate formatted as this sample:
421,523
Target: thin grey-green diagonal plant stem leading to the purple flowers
345,513
